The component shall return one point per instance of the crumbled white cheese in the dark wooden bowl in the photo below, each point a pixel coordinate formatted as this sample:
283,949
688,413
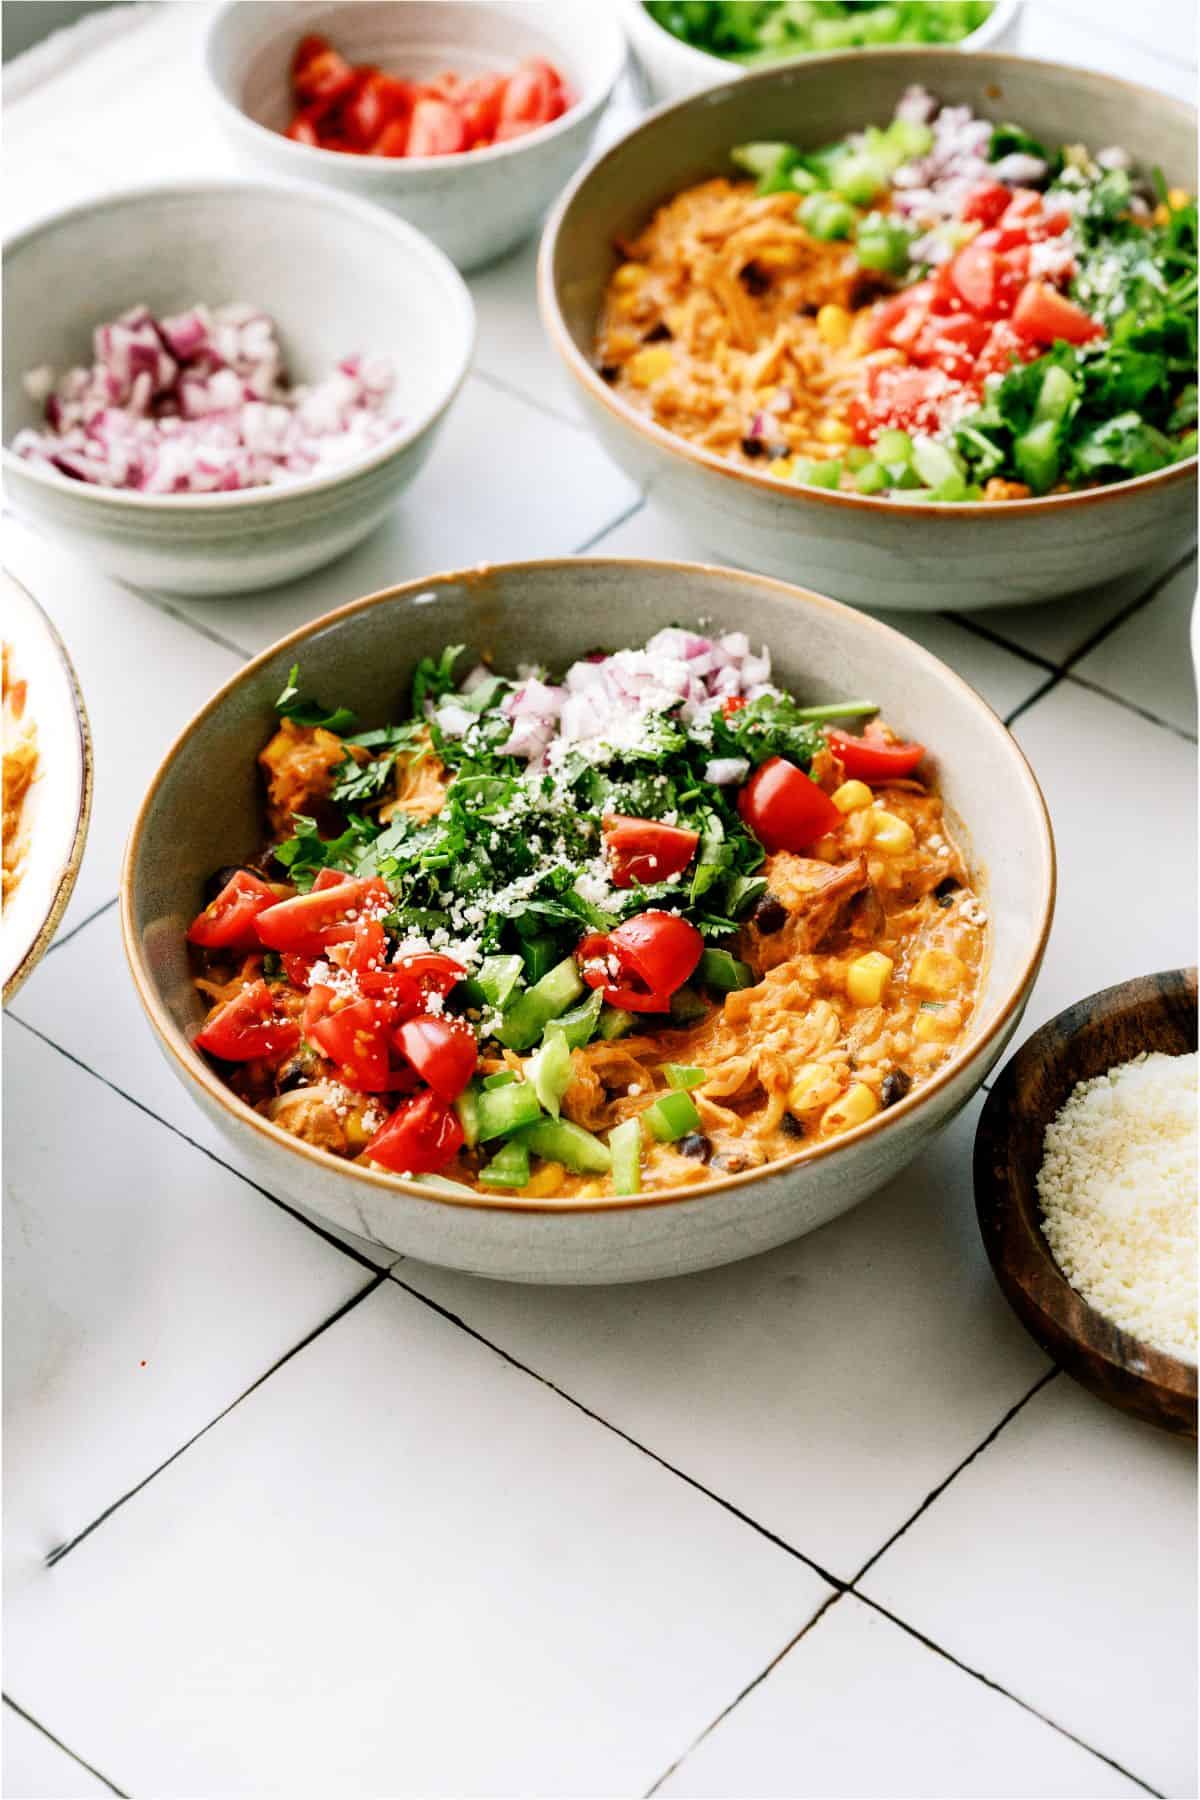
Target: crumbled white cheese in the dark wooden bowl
1118,1191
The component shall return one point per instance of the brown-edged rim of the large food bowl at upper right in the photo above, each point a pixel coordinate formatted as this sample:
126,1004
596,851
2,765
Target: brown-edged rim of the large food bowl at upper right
972,510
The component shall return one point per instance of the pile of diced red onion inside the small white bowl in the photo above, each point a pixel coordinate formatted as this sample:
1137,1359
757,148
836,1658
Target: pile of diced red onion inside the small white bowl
201,404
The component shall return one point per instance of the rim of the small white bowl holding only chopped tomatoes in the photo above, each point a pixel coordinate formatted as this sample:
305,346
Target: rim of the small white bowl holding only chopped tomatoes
382,170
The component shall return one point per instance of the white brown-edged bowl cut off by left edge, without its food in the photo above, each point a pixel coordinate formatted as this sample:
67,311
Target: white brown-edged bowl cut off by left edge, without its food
55,816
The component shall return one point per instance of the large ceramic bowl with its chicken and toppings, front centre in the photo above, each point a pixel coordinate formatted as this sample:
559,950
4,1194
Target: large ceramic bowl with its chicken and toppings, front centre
587,921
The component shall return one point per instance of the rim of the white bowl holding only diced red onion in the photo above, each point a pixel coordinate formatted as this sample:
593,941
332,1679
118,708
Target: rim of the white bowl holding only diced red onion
406,237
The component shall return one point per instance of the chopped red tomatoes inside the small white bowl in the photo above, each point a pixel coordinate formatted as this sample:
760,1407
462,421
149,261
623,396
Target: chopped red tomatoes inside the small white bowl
366,112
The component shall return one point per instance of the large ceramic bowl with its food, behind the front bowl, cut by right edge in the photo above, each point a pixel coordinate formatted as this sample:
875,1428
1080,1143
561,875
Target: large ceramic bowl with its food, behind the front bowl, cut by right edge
918,327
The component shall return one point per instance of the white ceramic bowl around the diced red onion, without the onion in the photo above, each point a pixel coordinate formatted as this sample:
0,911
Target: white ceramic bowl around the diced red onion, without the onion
336,274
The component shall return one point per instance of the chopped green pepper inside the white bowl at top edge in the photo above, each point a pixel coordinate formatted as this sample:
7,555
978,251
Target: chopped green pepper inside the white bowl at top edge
769,31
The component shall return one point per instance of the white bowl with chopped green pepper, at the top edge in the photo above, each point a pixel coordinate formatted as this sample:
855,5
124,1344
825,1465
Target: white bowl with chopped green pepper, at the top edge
685,46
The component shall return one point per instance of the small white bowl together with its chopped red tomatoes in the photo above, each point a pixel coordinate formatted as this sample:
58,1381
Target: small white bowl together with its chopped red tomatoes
467,120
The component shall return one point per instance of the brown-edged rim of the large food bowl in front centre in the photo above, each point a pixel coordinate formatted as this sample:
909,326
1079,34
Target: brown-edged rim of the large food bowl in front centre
199,1070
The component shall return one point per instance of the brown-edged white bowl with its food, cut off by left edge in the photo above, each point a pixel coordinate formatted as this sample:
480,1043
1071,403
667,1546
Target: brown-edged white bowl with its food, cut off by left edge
48,784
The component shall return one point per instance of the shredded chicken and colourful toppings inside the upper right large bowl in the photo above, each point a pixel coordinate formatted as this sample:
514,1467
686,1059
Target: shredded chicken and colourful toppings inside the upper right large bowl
942,310
